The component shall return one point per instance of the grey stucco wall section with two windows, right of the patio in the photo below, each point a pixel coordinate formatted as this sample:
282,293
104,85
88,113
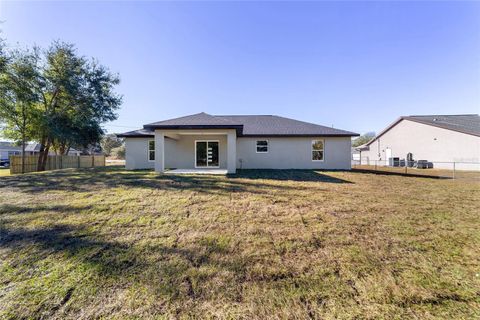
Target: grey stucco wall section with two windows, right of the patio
294,153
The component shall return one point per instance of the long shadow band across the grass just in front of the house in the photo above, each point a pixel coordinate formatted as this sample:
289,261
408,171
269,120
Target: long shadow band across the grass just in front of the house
87,180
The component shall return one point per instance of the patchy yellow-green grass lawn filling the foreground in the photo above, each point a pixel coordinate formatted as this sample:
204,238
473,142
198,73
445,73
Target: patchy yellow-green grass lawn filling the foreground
273,244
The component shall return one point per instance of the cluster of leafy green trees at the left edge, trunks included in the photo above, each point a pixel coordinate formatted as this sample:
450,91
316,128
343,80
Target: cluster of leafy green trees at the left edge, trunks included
56,97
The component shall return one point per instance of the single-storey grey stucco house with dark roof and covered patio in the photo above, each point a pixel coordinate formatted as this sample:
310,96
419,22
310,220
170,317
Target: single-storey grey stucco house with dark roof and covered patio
203,141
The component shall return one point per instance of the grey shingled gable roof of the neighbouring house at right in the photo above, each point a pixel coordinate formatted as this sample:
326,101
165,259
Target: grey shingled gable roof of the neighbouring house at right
464,123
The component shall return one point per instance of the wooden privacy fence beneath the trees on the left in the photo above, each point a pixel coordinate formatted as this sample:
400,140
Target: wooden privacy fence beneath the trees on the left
56,162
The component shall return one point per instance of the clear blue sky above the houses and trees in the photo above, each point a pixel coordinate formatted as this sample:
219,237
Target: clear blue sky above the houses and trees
353,65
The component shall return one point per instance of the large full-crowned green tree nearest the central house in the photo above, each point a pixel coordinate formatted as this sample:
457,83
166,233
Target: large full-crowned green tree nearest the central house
77,96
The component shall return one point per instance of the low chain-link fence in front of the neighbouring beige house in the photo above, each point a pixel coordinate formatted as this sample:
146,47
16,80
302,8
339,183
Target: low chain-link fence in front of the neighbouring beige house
440,169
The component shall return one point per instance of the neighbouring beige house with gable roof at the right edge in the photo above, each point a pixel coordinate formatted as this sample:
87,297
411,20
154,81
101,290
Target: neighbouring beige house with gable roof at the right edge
440,139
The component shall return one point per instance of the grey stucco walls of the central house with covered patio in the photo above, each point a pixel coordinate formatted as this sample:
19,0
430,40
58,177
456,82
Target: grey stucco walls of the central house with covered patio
283,153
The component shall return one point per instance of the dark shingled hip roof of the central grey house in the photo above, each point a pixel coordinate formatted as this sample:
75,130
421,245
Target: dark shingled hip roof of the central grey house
246,125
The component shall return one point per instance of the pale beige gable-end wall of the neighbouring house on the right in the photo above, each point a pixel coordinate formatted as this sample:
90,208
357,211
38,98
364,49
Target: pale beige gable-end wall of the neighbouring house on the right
426,142
